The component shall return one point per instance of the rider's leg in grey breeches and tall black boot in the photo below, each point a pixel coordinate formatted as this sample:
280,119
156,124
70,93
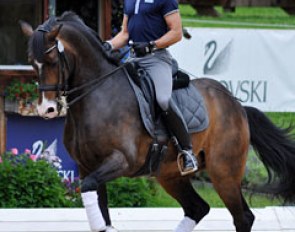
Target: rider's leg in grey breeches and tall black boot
159,67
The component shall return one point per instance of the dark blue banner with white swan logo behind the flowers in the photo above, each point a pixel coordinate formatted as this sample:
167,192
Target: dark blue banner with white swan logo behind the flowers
41,136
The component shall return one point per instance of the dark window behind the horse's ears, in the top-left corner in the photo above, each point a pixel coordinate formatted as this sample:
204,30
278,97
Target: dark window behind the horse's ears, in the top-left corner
13,44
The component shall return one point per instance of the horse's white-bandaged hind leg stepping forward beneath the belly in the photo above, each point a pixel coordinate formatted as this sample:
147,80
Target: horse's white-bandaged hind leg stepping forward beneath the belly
195,208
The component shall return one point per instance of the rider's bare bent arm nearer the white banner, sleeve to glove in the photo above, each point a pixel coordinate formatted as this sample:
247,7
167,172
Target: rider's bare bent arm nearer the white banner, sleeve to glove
174,33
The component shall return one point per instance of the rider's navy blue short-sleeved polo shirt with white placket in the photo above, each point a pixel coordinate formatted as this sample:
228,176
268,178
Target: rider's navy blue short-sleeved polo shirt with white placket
146,20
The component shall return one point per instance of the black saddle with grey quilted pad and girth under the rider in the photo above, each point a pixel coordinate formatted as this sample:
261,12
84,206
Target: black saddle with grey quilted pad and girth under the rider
186,96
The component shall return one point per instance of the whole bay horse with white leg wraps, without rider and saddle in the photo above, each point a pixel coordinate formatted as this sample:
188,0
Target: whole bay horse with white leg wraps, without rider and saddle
106,137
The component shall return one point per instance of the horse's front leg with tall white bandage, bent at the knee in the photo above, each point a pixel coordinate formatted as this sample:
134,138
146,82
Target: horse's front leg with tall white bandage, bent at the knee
113,167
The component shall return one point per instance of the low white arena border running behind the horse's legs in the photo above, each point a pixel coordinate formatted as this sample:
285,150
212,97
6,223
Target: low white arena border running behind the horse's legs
271,219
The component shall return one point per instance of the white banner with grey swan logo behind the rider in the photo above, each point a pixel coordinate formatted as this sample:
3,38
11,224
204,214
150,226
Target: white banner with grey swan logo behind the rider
257,66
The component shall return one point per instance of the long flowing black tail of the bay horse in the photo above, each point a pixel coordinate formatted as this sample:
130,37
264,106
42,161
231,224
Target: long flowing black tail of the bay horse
276,149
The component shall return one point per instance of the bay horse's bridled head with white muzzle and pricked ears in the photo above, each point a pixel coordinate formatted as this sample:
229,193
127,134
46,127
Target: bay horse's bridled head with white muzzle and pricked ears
46,55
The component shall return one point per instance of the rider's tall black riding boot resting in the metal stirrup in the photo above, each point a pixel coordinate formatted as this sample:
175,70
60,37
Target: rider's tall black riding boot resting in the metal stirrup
178,128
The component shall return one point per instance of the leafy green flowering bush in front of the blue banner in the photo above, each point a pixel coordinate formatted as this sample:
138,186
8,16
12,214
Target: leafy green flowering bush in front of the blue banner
29,184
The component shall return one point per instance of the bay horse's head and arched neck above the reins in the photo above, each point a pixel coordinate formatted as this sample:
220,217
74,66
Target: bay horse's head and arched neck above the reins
64,51
